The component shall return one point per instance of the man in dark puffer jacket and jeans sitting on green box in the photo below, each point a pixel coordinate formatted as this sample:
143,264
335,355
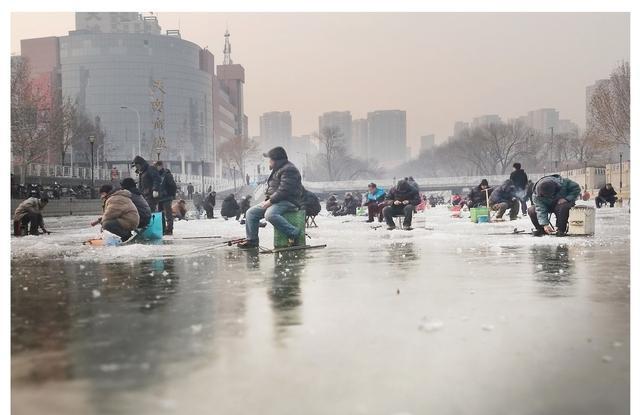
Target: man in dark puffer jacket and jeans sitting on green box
284,194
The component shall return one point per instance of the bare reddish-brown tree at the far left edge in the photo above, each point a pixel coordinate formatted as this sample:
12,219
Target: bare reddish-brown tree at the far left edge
29,118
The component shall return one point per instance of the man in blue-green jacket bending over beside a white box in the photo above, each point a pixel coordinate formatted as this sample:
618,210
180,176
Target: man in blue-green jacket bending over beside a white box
552,194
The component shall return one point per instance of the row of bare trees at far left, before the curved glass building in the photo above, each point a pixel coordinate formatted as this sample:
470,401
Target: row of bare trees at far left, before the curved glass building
44,123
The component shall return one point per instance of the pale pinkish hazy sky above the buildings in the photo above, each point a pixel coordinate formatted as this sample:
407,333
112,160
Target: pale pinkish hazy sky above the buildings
439,67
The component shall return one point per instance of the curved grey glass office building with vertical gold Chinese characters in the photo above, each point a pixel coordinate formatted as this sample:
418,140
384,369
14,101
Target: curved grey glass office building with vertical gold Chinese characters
108,71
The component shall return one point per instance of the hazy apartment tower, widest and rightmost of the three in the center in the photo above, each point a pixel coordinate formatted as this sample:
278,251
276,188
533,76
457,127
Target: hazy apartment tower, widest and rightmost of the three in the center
387,136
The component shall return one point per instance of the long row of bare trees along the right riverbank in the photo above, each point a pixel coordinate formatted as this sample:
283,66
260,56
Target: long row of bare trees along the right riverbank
492,149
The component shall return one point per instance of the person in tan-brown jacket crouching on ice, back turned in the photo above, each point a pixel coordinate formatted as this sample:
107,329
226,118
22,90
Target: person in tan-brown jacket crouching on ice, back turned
119,215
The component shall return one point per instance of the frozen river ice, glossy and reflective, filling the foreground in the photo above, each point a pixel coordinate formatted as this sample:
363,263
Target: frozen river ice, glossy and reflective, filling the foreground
443,320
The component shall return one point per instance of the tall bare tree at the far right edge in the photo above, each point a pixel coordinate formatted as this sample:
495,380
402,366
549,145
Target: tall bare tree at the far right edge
610,107
